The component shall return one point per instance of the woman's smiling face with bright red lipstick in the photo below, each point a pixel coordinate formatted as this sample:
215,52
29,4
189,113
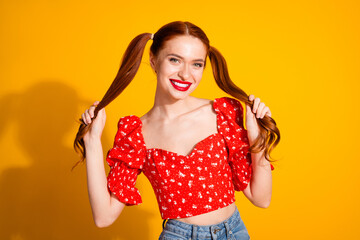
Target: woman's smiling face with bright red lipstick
179,66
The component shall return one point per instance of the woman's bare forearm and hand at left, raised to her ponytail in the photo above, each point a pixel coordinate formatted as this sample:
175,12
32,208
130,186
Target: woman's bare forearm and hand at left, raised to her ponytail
106,208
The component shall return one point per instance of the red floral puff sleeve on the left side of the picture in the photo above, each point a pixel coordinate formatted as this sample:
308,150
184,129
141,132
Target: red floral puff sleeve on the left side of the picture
126,160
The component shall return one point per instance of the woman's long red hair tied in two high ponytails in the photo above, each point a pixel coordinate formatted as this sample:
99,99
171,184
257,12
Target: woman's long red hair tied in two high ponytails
269,135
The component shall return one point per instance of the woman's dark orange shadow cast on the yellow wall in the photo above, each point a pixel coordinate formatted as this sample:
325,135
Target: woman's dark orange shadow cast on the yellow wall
47,200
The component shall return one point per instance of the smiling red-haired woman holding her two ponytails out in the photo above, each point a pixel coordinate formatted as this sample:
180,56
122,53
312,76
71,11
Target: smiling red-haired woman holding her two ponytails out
195,152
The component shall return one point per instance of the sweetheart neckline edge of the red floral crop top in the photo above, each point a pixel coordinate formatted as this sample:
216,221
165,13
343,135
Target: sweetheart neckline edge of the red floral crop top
194,147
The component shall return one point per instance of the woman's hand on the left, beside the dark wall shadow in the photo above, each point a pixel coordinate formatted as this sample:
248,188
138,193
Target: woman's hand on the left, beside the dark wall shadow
99,122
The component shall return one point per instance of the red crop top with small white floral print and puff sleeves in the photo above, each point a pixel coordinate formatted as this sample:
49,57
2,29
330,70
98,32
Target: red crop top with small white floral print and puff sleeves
200,182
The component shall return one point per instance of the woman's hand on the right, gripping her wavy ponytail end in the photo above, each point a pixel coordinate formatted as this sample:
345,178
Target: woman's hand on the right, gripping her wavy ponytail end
259,110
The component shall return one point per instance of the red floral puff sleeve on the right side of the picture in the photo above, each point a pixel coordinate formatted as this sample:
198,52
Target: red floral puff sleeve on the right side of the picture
230,126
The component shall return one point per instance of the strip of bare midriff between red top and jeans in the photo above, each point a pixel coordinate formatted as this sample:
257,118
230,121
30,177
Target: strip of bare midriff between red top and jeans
210,218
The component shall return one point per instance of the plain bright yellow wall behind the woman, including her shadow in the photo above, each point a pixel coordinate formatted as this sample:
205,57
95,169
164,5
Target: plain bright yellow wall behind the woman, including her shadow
301,58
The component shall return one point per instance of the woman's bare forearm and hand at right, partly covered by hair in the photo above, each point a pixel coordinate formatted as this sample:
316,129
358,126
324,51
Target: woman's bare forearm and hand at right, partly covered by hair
259,188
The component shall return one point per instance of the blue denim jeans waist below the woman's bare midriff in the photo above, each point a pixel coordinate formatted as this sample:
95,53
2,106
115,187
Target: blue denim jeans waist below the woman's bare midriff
232,228
